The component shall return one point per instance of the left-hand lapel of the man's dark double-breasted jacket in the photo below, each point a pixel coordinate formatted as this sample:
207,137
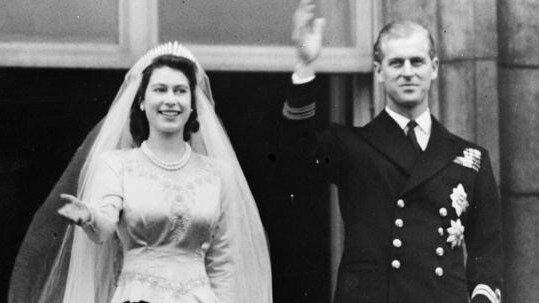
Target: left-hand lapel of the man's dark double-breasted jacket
385,135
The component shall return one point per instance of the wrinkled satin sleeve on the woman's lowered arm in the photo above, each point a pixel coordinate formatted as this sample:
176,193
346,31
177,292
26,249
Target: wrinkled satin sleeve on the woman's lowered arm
219,257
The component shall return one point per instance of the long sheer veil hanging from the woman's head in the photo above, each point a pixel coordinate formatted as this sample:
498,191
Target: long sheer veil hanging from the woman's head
58,263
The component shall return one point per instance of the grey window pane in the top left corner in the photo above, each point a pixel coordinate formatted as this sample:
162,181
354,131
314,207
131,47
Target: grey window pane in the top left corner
59,21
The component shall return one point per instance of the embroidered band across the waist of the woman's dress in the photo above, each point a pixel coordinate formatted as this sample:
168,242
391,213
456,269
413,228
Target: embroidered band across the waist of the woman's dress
176,289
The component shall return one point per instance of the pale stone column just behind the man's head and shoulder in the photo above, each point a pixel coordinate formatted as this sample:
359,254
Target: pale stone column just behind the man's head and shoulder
468,71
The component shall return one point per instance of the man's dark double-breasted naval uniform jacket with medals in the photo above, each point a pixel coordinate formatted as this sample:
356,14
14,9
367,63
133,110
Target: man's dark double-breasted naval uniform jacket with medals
405,216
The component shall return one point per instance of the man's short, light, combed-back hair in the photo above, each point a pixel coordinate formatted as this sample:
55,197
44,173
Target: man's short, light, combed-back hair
401,29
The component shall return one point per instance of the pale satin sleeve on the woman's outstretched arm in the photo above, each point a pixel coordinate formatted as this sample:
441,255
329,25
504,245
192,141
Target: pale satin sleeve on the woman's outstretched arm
105,197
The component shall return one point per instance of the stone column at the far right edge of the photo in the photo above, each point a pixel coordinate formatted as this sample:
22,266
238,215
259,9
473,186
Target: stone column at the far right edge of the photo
519,112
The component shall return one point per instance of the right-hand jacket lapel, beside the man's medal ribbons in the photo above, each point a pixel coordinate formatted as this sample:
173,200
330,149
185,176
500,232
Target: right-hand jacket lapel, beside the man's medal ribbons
441,150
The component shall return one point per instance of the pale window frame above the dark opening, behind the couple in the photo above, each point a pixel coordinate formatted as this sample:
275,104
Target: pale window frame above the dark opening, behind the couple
138,31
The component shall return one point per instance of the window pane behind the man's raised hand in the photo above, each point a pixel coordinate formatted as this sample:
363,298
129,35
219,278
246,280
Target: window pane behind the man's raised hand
253,22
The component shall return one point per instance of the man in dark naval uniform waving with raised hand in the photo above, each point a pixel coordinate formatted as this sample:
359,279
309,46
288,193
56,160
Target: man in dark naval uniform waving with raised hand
419,204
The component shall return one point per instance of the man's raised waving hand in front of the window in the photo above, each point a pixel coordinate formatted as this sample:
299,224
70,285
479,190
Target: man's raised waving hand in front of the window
307,32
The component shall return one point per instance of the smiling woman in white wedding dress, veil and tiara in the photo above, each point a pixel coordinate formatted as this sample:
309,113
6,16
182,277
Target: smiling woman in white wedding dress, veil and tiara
162,212
